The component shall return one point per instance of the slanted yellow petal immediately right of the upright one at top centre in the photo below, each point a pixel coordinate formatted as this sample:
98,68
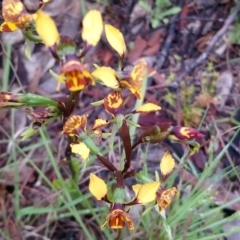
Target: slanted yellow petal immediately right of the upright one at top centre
115,39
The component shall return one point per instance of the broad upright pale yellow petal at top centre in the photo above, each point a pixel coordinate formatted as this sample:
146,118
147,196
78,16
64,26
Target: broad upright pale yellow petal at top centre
92,27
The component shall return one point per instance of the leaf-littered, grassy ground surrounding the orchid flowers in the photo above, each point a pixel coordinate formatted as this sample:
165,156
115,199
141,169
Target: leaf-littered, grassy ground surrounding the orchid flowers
193,63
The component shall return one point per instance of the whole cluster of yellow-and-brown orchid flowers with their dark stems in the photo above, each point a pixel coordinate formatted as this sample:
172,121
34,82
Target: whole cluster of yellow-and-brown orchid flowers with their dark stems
83,140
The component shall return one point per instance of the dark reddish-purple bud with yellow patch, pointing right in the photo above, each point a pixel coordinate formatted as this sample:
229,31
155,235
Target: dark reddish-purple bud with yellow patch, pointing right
184,133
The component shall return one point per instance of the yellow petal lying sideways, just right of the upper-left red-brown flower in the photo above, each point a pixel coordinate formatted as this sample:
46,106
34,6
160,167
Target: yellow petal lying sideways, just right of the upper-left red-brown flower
107,76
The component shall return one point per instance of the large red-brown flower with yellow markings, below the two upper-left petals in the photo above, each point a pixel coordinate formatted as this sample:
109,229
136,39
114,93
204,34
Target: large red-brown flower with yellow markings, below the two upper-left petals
75,74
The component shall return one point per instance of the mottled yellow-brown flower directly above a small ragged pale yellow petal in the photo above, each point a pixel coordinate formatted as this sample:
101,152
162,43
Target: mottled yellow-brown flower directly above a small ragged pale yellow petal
74,125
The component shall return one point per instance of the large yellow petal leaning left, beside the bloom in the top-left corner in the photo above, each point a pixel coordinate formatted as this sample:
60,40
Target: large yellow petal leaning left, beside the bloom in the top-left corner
46,29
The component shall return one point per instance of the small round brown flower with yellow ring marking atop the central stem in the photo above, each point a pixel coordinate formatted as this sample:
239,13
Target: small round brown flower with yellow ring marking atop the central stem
113,103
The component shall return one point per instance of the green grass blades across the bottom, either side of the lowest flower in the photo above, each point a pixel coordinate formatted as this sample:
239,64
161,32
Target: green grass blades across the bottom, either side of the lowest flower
194,214
